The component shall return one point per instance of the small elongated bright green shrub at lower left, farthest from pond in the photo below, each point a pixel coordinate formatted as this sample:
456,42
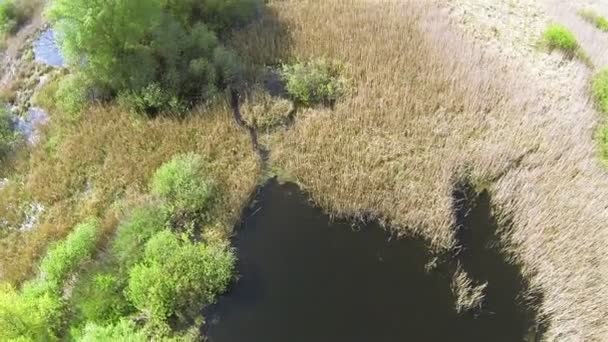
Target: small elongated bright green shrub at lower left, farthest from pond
65,256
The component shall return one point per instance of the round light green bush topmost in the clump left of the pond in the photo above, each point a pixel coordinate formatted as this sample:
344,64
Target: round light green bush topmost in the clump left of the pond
183,184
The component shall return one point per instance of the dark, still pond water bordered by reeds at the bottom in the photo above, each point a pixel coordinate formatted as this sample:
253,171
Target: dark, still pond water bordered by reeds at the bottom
304,278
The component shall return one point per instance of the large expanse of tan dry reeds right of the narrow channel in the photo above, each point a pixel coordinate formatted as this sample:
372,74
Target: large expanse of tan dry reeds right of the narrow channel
428,106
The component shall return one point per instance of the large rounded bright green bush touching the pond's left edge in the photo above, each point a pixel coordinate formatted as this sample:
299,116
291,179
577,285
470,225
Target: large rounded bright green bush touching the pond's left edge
178,277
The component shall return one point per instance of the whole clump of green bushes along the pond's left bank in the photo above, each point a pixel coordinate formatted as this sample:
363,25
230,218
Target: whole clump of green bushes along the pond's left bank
152,272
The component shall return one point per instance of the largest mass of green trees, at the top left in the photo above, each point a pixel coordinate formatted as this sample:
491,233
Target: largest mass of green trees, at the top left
157,56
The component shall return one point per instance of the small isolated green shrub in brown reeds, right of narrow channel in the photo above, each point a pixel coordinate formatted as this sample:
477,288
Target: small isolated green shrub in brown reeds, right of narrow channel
315,82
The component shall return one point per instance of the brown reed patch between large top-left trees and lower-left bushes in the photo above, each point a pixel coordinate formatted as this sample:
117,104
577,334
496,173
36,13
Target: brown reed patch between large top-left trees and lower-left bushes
107,158
